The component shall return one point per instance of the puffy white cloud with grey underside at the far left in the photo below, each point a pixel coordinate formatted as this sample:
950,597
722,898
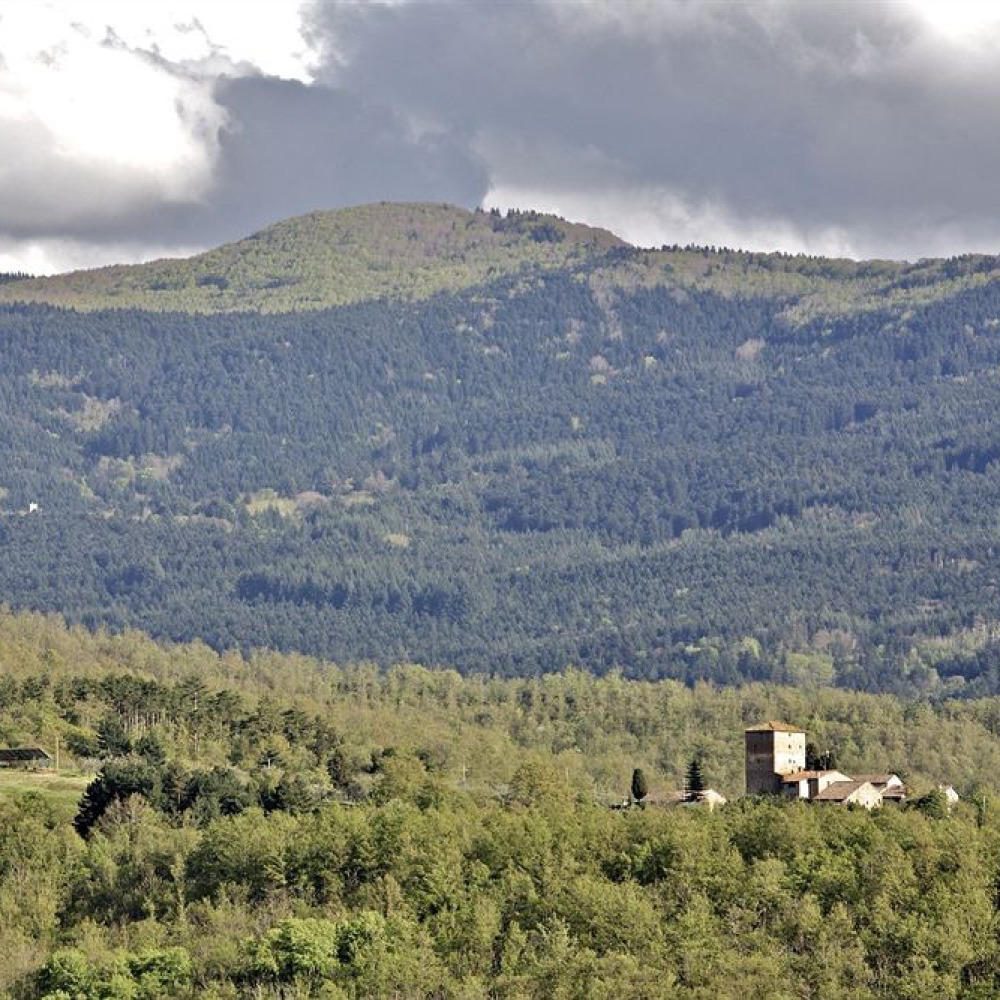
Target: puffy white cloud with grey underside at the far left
90,131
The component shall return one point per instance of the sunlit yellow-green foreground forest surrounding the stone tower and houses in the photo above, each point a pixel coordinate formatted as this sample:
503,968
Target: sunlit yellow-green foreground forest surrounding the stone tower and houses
276,826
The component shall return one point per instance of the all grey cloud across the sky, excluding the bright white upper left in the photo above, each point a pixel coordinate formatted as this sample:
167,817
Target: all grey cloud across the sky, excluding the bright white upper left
741,120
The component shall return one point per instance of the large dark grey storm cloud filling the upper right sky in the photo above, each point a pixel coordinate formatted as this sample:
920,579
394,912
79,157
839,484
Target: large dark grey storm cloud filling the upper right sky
824,115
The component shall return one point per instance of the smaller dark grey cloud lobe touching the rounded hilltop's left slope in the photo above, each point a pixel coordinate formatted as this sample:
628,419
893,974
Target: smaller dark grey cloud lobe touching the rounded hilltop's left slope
292,148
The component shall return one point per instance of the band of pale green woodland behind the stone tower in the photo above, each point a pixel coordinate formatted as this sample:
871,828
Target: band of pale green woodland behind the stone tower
106,696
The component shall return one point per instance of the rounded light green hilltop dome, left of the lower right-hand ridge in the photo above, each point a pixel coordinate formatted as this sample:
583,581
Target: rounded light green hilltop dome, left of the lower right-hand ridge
330,259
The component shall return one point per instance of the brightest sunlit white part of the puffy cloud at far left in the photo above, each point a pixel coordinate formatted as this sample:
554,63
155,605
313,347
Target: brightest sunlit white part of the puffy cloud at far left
98,108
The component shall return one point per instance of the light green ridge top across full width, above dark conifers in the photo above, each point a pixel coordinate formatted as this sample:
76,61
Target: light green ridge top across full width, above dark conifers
412,251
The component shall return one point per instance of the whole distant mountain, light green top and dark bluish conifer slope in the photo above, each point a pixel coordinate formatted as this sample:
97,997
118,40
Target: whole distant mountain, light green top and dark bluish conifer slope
511,444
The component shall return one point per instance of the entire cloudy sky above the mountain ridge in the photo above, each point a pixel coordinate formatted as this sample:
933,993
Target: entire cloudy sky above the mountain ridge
130,130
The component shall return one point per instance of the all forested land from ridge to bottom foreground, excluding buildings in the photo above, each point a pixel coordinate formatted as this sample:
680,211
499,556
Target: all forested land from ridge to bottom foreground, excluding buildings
358,572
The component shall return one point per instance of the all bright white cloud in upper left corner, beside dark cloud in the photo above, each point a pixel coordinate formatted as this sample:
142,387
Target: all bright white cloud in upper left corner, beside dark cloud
107,109
